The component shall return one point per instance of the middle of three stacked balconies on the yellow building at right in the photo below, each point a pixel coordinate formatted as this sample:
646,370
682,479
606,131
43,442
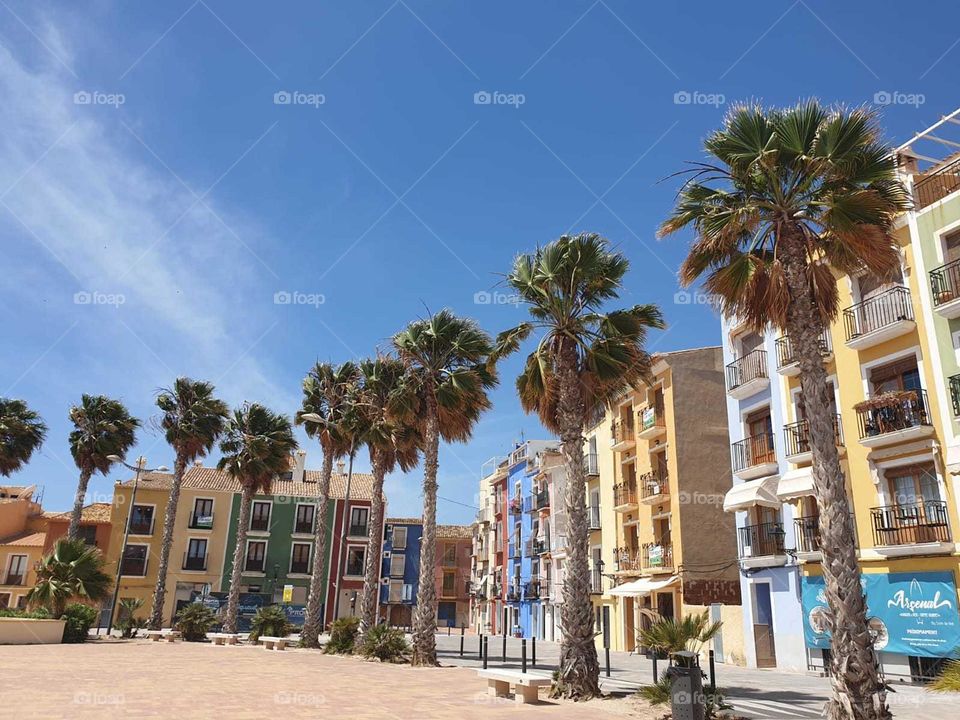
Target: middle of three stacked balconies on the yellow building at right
894,417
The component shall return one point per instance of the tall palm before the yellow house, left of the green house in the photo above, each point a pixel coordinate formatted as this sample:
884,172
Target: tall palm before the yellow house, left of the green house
192,420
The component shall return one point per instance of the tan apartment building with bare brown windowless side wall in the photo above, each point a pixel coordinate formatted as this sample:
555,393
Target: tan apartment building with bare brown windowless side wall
675,551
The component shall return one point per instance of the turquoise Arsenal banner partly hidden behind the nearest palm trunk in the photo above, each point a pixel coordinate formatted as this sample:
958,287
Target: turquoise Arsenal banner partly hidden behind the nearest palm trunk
908,613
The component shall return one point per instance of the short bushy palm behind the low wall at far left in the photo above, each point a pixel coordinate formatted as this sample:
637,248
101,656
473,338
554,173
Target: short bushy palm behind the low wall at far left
74,570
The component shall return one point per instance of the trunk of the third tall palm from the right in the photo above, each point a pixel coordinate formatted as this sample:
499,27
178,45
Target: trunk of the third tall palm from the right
425,614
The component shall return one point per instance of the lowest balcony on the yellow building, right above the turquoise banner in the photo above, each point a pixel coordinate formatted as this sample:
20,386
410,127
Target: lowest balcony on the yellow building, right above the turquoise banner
911,528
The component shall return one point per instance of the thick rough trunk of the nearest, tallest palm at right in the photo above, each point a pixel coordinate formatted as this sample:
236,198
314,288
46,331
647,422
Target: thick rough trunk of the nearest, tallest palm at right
858,692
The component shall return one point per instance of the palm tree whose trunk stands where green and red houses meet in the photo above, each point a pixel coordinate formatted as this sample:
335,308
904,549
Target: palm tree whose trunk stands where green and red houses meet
328,394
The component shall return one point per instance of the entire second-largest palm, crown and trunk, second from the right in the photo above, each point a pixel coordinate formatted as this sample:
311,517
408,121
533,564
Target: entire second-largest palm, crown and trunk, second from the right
585,359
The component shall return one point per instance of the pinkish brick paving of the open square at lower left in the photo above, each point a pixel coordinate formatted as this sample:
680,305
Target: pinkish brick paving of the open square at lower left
140,679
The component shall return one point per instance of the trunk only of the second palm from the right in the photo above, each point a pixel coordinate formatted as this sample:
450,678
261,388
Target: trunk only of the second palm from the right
579,666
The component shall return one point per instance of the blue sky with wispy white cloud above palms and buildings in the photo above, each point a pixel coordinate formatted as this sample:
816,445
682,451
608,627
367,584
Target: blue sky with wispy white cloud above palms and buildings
171,173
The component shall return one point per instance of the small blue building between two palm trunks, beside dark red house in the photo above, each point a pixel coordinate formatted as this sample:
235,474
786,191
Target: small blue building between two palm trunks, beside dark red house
400,570
